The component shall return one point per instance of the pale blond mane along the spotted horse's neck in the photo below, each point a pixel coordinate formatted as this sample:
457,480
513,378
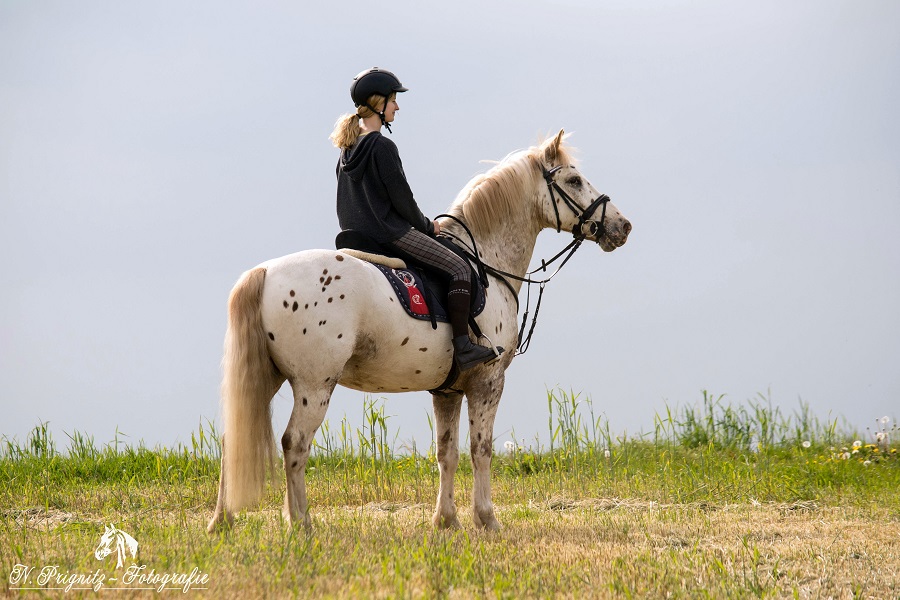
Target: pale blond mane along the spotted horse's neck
490,197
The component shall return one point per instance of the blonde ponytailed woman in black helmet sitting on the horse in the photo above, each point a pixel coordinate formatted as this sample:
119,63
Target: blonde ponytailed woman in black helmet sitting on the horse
374,198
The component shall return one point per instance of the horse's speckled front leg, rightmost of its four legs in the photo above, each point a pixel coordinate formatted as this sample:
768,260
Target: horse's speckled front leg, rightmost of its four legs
483,397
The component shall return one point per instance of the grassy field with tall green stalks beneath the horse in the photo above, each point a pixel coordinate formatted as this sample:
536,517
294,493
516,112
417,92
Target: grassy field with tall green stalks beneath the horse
719,501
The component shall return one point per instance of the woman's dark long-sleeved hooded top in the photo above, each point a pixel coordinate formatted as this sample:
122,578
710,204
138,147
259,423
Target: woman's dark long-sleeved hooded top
373,195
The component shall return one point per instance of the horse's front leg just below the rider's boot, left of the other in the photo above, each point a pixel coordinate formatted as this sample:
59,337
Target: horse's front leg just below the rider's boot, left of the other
446,420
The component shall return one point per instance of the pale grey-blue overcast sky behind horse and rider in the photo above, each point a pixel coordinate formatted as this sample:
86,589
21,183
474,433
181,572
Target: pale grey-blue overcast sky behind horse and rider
150,152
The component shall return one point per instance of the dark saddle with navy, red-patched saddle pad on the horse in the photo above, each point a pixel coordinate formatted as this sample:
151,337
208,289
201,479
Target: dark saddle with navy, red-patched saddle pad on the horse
420,290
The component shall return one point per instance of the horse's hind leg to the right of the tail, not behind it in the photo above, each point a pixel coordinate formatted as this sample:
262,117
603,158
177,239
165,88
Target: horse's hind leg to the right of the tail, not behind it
306,417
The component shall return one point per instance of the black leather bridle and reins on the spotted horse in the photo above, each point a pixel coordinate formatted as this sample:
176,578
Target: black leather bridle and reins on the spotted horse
584,228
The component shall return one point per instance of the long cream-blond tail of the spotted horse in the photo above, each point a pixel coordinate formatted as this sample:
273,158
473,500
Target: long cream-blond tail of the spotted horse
249,382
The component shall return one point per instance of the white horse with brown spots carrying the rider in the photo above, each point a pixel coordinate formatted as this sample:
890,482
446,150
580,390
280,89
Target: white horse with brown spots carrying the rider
319,318
